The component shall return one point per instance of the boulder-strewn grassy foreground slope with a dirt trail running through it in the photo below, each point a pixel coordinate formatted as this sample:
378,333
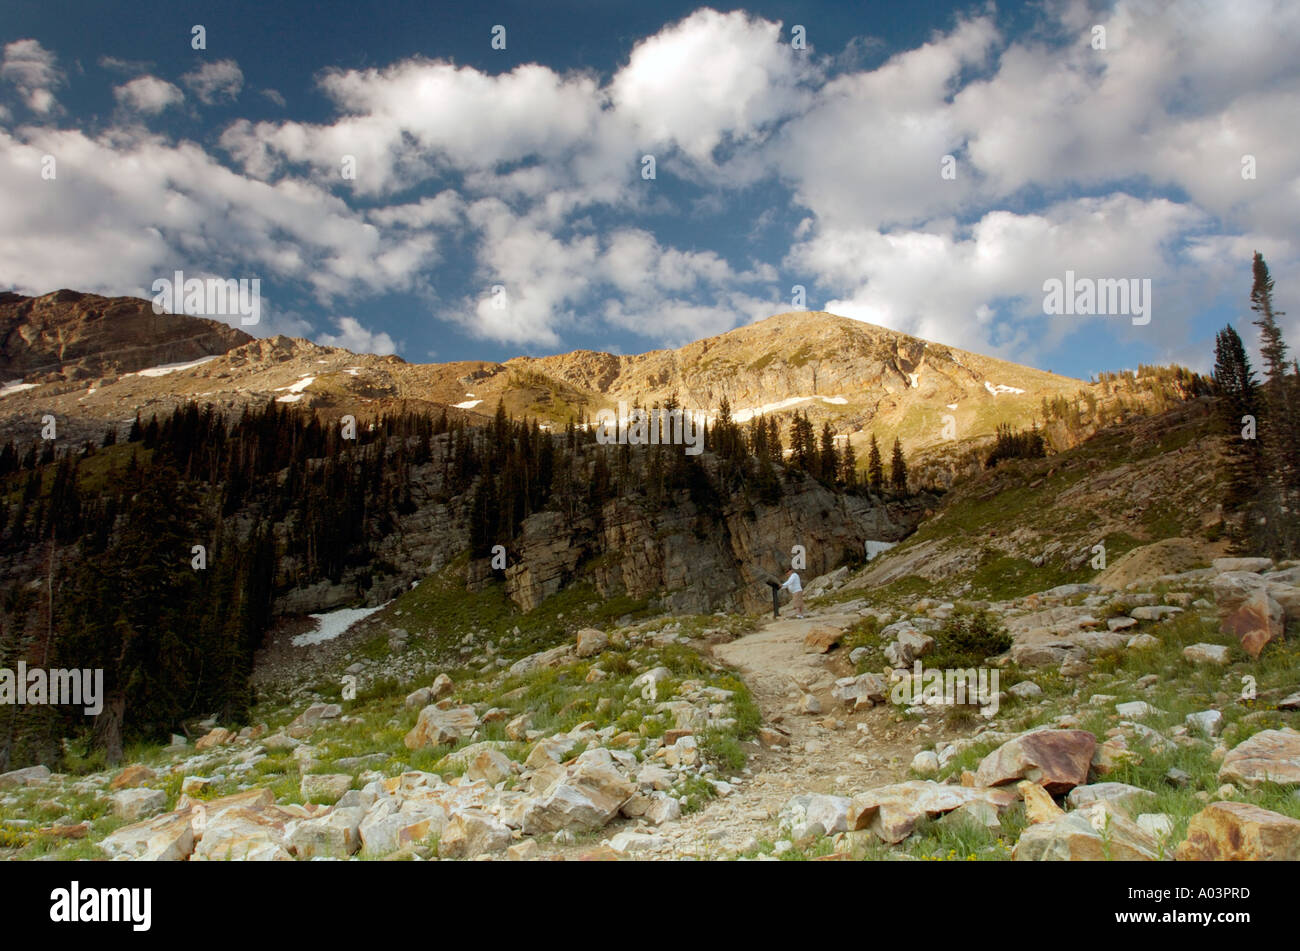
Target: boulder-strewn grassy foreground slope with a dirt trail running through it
1136,745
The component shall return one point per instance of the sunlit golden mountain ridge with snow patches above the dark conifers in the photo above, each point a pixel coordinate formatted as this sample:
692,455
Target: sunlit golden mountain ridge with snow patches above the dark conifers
96,362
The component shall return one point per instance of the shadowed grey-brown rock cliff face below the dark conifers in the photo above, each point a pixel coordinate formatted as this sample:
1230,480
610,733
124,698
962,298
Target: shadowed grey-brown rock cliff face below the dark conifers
678,558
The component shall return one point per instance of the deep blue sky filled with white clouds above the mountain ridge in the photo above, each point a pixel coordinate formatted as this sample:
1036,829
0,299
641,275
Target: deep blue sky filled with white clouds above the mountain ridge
522,168
